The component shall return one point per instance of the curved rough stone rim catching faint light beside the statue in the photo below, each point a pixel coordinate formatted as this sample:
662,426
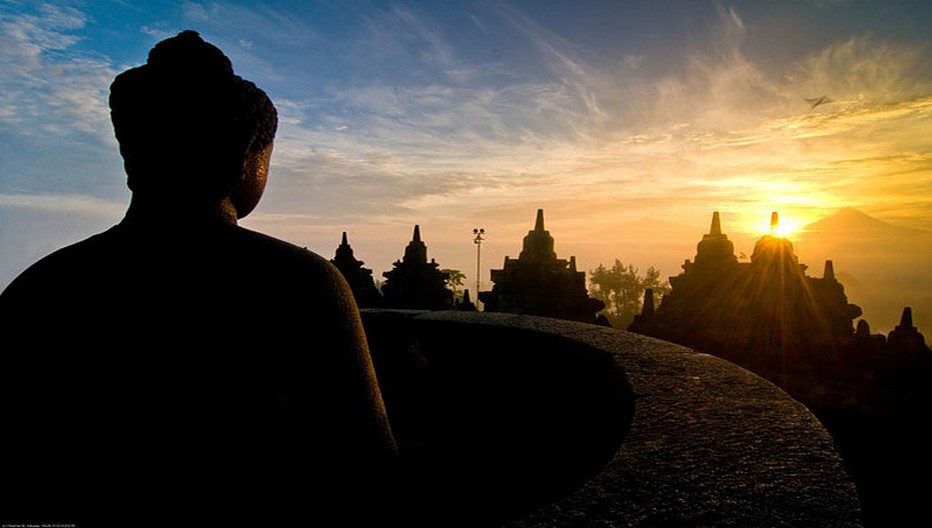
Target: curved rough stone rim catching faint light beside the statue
711,444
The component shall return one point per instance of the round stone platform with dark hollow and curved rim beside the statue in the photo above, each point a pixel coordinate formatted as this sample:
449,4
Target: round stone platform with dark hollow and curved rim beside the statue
708,444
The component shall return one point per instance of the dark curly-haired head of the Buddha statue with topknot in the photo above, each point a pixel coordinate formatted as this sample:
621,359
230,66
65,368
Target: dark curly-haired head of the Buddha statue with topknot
190,130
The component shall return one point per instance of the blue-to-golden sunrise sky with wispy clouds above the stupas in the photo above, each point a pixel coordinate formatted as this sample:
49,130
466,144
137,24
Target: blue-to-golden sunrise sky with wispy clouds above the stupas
455,115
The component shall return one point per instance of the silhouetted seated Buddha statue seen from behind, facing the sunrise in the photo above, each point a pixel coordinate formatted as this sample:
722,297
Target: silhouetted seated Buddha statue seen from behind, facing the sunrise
177,365
